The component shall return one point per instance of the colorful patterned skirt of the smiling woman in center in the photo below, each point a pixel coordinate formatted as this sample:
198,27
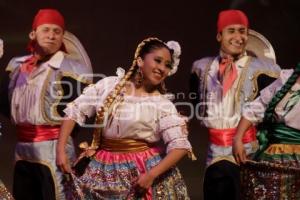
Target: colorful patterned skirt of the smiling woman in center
112,175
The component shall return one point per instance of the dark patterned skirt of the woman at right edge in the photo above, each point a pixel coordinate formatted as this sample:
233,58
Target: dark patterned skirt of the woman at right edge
275,176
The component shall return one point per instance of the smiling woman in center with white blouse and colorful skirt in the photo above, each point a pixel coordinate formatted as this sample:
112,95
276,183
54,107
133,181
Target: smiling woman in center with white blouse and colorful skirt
133,116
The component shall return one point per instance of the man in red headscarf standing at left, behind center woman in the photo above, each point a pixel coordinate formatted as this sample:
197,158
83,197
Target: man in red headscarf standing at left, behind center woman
40,85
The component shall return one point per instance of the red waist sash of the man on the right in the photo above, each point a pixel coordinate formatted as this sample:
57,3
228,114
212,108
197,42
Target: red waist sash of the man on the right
224,137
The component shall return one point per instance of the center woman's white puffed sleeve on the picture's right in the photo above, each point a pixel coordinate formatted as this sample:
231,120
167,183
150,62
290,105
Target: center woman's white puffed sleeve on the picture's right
173,129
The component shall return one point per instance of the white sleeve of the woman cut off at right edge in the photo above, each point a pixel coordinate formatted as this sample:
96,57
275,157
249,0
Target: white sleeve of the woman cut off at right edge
254,111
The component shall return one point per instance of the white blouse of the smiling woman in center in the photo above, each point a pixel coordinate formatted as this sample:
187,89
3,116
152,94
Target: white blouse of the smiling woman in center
149,118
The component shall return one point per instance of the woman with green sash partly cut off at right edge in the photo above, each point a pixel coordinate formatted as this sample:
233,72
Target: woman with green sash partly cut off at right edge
278,108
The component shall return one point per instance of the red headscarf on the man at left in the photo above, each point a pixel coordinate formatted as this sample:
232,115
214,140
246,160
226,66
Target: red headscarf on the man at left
48,16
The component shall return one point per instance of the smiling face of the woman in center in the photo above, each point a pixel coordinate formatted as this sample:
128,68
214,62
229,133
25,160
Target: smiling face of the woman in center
155,66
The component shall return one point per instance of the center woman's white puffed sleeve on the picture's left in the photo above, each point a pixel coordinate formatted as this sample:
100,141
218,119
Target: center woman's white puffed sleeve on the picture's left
92,98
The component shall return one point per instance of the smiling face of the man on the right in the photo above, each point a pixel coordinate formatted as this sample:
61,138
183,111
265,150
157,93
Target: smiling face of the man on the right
233,39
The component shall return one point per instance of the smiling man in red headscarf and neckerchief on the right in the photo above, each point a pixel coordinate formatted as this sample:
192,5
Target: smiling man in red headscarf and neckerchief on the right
223,84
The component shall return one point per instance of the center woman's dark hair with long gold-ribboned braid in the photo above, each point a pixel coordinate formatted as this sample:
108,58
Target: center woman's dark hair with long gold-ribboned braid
146,46
